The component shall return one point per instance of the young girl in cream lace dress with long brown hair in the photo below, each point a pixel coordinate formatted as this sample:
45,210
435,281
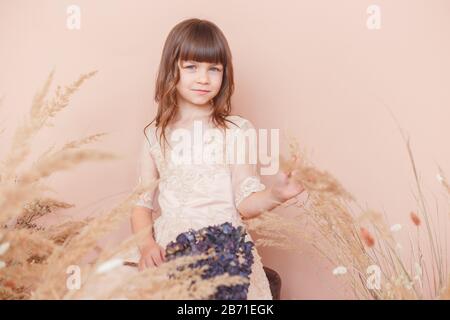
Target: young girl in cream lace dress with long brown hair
194,86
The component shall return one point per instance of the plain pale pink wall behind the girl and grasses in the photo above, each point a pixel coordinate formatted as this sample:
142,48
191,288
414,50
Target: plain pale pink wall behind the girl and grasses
310,67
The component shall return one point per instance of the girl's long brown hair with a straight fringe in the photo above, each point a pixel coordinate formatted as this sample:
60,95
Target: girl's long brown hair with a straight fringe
198,40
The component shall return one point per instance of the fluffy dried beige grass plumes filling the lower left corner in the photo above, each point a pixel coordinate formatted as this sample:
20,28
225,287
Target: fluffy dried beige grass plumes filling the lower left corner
40,262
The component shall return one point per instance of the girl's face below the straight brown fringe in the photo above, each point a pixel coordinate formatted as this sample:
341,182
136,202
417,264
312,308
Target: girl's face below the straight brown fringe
199,82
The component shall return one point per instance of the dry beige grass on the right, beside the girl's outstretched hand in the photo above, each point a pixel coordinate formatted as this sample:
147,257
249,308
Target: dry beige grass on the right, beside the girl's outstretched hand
357,240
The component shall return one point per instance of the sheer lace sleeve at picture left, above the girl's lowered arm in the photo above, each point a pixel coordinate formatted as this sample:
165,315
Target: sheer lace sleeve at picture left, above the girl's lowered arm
147,176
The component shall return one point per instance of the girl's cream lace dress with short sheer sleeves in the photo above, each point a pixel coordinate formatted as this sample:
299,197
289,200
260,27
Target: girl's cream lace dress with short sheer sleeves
201,193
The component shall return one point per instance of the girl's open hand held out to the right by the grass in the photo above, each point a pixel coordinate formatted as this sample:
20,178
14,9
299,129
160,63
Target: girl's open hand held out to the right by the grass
285,187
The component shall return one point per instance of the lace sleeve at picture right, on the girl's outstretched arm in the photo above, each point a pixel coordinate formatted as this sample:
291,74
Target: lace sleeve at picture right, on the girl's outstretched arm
245,177
